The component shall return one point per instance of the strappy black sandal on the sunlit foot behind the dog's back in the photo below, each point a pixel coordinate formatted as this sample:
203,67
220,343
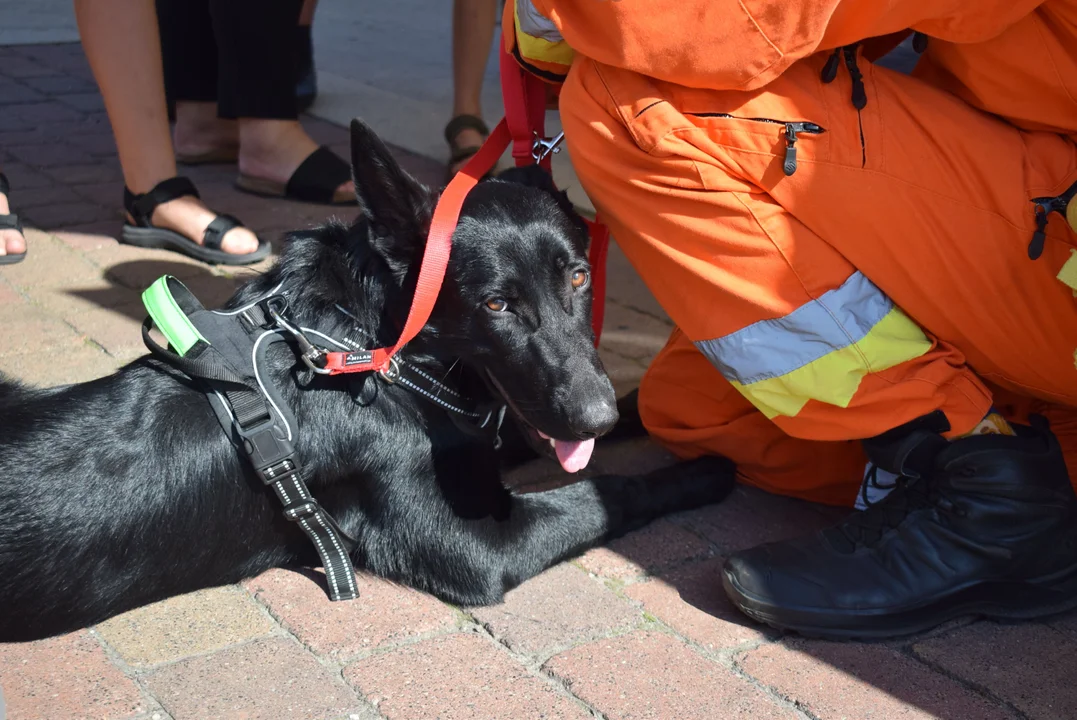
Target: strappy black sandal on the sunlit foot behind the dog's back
144,234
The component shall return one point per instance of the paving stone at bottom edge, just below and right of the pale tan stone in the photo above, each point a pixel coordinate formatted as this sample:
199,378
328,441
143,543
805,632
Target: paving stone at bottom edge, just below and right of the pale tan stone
273,680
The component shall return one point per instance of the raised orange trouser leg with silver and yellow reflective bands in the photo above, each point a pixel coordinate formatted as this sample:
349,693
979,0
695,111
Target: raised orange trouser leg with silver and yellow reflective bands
862,291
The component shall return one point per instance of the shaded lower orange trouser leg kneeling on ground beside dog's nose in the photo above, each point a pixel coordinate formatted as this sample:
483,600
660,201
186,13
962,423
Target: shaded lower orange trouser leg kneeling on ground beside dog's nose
690,408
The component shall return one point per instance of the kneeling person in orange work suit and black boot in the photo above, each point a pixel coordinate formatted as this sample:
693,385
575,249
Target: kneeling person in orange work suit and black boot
859,263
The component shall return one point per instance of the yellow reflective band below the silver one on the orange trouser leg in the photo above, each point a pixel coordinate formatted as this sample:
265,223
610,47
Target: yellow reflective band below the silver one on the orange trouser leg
836,377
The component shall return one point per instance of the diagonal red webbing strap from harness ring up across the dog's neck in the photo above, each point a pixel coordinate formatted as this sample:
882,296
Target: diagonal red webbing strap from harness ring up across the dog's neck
436,258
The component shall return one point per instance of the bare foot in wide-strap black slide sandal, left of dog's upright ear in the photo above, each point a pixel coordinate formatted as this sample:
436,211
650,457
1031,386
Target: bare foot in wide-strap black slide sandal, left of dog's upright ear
273,150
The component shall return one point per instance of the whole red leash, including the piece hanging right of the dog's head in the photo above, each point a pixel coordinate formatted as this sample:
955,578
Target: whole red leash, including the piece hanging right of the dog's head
524,124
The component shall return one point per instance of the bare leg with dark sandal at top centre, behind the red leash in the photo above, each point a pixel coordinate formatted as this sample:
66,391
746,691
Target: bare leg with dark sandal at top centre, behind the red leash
473,23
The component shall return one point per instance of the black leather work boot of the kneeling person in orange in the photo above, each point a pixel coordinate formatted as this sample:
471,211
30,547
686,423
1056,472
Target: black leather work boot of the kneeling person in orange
985,526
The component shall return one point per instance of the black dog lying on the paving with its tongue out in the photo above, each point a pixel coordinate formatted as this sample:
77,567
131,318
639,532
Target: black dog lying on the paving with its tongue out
123,491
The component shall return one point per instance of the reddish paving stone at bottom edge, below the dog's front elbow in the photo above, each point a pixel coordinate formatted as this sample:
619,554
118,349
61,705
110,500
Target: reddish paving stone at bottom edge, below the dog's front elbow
458,677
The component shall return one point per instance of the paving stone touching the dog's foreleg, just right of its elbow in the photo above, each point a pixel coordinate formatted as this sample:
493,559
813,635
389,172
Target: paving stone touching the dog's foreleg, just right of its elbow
534,622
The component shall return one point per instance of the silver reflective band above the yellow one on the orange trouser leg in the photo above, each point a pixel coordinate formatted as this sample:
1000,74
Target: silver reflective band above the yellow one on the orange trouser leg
774,348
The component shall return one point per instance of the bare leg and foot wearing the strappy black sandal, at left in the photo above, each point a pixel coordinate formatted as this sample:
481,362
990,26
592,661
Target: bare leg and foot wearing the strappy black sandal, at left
121,41
